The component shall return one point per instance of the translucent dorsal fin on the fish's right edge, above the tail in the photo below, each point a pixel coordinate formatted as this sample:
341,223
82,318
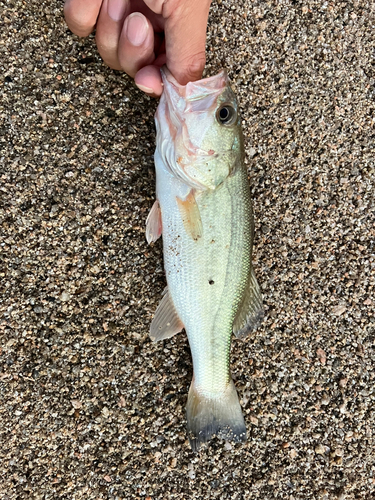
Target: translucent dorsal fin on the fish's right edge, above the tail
250,314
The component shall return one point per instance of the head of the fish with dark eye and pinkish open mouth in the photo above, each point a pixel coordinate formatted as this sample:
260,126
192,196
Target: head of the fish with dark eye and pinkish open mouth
198,130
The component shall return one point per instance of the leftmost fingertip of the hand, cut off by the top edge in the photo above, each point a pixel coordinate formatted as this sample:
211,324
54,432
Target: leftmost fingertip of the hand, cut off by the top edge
81,15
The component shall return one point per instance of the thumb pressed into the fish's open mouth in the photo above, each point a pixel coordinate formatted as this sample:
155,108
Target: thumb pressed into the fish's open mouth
185,39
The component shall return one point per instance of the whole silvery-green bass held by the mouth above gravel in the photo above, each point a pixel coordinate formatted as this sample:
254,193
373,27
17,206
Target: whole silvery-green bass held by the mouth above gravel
204,213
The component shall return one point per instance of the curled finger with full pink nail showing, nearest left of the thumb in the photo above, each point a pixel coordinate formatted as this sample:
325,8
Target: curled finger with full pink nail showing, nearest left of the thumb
136,44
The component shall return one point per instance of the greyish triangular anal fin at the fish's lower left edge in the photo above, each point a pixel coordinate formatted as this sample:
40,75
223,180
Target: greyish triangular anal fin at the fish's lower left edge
166,322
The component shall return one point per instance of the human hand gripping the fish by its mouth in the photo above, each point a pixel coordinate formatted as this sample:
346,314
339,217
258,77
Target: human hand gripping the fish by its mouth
139,36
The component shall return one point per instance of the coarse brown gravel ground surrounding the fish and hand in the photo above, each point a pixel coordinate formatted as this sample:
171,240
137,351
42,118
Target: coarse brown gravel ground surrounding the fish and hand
90,408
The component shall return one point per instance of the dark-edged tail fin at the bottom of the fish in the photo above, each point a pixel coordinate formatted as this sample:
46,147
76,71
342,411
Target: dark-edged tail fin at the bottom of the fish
220,416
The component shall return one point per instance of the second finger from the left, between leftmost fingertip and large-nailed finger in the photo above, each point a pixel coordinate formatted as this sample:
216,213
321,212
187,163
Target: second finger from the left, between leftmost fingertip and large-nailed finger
108,30
